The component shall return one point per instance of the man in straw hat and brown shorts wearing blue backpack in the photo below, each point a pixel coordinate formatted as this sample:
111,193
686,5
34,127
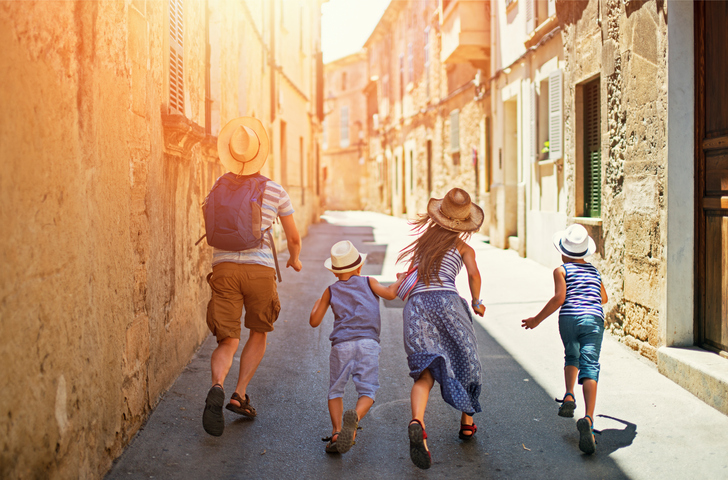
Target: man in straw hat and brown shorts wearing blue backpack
239,214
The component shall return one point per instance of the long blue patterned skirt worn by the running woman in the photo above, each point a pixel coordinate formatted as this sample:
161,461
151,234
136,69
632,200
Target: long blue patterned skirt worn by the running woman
439,336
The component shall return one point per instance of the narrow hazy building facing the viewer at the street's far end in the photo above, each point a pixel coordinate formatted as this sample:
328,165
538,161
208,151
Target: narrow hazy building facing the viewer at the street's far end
342,141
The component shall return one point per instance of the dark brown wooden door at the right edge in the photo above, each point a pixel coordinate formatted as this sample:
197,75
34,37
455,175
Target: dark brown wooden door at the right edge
711,40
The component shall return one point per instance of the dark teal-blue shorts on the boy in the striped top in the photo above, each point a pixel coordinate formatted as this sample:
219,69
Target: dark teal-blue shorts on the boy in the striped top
582,336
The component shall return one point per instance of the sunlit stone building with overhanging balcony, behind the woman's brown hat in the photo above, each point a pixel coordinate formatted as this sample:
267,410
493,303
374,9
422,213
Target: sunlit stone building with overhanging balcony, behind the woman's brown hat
426,103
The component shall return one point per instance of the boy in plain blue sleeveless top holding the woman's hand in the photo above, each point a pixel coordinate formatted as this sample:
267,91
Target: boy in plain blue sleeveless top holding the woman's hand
354,340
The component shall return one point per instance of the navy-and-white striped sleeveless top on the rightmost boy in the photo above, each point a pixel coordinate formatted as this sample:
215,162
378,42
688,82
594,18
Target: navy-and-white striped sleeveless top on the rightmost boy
583,290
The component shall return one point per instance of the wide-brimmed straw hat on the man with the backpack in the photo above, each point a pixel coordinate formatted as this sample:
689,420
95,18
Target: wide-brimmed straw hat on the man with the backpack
243,146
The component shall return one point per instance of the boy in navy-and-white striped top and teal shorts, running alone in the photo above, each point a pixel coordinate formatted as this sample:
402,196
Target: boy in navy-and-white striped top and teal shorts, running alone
580,293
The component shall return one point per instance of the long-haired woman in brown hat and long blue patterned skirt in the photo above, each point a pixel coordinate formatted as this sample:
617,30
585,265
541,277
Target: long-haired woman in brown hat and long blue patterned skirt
439,337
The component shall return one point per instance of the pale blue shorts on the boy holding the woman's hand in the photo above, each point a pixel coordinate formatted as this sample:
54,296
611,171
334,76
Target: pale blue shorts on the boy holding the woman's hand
358,358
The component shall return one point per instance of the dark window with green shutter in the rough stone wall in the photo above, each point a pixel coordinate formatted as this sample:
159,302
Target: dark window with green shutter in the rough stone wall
592,151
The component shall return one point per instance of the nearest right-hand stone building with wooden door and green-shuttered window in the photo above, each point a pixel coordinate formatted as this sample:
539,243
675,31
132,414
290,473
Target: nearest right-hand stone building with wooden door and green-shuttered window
645,109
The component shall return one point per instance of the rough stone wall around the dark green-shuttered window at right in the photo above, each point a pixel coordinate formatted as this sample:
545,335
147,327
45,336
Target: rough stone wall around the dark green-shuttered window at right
626,46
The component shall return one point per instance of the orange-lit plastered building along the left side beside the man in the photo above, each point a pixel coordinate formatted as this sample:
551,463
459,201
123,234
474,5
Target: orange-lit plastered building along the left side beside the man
111,111
